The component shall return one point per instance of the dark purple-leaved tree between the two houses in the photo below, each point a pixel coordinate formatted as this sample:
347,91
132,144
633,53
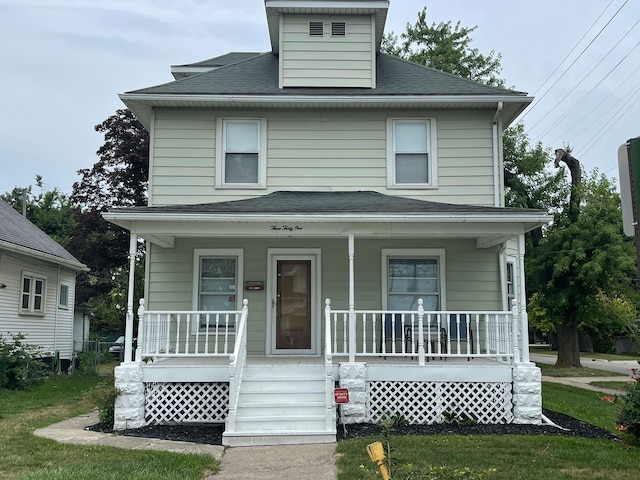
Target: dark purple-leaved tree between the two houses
117,179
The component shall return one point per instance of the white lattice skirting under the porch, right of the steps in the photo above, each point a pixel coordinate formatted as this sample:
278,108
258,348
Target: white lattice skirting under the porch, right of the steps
435,402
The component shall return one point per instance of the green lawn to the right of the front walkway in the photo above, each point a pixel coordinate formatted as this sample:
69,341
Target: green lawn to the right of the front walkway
514,457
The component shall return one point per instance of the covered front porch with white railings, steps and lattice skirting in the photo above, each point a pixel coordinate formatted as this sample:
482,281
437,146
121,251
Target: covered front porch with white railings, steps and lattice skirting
413,307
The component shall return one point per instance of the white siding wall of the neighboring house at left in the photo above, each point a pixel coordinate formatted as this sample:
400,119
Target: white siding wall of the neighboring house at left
54,329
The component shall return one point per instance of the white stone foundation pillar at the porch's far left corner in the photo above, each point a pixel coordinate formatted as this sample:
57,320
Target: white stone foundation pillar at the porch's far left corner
129,406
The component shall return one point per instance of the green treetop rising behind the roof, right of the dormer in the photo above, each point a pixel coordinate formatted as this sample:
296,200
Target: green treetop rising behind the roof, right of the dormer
445,47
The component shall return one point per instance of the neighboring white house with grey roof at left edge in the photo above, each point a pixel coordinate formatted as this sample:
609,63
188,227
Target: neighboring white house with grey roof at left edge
37,286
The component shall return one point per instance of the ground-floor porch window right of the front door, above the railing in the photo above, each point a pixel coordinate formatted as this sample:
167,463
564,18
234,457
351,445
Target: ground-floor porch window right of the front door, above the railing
412,275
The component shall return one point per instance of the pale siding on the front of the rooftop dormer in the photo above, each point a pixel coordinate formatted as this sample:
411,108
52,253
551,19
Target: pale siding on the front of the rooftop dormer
328,60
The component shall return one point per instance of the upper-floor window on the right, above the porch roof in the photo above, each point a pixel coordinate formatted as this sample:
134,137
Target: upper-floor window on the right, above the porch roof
411,158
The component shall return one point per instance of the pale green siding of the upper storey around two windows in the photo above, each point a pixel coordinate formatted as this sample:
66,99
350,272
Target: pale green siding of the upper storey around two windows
320,150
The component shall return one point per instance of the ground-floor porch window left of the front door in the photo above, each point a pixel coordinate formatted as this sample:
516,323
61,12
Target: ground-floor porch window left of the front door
218,280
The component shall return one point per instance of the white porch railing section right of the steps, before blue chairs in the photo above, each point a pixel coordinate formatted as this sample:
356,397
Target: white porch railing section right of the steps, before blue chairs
424,334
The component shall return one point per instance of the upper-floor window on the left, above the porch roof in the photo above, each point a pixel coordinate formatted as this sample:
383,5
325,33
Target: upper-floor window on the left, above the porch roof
241,153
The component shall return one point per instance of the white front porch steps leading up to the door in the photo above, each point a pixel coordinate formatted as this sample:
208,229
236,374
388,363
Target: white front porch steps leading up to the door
280,406
